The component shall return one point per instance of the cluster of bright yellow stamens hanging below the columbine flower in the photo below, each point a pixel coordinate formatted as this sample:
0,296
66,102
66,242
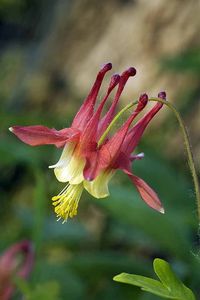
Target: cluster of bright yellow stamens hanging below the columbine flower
66,202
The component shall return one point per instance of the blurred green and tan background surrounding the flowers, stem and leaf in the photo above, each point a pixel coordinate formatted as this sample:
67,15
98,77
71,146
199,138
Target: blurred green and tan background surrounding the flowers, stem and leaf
50,52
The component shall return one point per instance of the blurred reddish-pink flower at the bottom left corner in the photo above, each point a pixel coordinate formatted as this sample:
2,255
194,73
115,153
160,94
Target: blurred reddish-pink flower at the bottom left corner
11,263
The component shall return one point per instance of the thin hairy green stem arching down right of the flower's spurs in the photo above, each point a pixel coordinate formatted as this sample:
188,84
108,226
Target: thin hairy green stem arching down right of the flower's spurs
188,150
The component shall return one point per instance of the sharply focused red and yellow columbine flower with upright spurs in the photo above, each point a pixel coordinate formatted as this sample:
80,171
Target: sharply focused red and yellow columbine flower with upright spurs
88,161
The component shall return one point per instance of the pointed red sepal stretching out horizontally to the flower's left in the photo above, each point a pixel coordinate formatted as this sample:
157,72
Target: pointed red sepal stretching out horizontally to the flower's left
41,135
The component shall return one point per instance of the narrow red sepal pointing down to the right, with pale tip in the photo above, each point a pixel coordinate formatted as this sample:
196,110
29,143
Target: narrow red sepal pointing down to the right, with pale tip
146,192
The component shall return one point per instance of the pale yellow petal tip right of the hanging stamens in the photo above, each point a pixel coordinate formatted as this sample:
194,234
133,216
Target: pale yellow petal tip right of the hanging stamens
99,186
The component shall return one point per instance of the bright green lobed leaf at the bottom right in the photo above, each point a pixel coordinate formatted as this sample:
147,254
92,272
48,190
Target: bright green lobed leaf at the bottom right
169,286
